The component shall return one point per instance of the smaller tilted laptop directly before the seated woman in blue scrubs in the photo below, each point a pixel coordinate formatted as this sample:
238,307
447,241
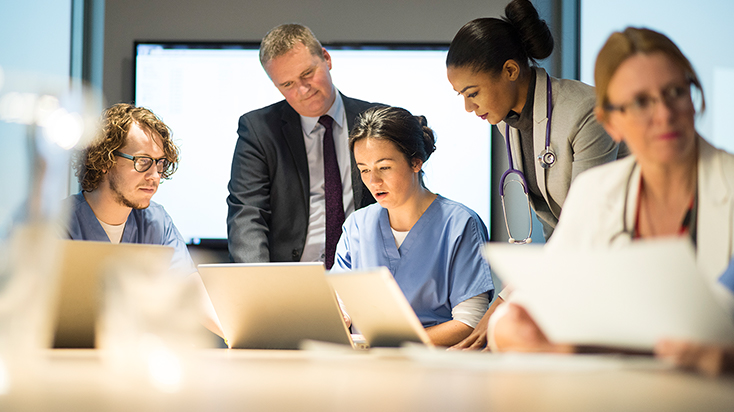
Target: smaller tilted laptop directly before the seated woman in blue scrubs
379,308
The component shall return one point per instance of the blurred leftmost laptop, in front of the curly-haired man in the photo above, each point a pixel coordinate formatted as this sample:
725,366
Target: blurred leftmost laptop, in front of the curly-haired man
83,264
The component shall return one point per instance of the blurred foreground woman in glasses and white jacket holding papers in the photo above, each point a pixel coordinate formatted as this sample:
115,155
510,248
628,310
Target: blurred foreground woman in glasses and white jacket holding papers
675,184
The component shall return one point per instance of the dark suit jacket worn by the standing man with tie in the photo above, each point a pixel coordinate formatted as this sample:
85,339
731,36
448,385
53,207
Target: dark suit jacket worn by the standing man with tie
269,185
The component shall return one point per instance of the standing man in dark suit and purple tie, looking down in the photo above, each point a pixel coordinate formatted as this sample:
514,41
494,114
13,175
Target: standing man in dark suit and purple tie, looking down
277,200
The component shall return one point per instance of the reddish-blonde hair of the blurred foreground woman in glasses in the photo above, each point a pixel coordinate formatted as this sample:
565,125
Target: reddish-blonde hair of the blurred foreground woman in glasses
622,45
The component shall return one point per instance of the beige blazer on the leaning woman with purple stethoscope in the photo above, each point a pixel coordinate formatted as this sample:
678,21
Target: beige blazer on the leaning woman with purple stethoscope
577,139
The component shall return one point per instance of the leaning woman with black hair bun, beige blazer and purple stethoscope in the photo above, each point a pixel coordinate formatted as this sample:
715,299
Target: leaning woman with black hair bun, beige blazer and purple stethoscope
548,124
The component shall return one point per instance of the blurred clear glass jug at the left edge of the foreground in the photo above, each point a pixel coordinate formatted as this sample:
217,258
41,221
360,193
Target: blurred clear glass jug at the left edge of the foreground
41,118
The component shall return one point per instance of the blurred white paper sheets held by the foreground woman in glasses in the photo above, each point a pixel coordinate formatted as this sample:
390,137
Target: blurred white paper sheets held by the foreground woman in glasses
624,297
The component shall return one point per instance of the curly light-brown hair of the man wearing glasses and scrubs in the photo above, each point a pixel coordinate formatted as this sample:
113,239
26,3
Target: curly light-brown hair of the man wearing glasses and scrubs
93,162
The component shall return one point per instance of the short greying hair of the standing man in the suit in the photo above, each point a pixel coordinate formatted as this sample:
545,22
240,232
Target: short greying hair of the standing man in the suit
282,39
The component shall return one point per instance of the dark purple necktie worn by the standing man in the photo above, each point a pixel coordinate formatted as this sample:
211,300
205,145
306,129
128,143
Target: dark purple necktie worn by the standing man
333,193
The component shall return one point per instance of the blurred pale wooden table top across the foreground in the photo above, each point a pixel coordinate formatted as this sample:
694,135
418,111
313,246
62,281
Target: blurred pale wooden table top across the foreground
408,379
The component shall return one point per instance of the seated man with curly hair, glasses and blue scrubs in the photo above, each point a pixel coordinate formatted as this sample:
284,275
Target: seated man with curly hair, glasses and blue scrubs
119,173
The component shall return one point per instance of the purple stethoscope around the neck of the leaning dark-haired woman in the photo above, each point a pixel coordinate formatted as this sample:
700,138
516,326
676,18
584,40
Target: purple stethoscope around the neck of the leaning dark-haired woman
546,159
